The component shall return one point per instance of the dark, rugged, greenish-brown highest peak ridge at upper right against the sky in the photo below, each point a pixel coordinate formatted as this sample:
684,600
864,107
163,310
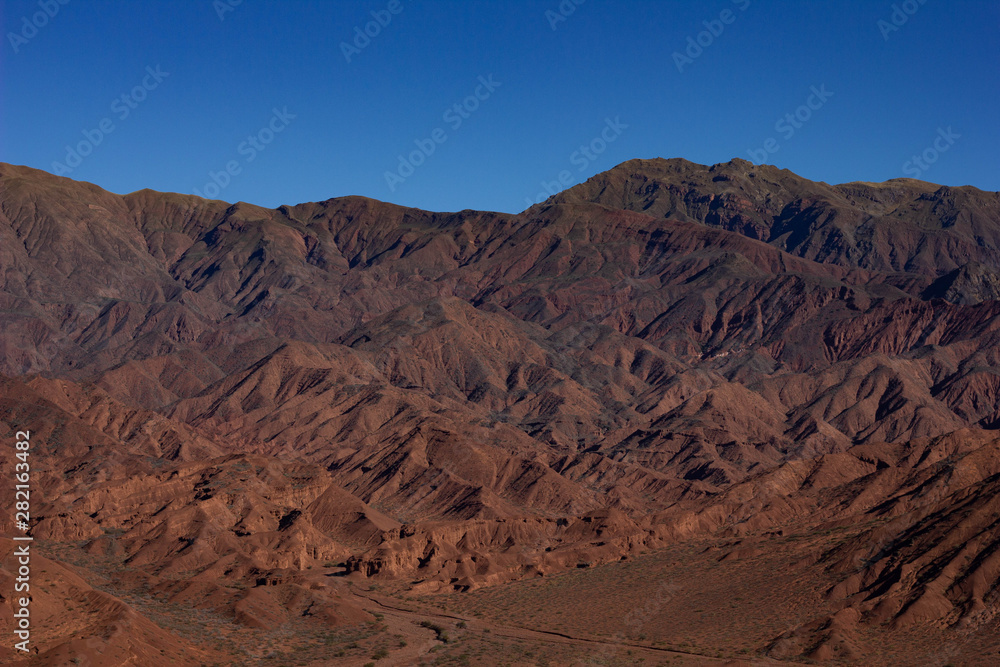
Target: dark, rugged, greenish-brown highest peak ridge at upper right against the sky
902,225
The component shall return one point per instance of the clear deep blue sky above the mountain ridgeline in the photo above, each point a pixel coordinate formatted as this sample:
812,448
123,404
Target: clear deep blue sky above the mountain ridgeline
892,90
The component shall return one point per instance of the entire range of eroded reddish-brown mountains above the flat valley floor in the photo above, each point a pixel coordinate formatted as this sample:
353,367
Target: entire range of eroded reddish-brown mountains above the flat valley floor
232,404
